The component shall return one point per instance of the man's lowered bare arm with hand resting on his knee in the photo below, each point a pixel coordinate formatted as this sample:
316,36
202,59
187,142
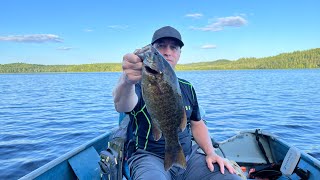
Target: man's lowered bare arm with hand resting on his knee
202,137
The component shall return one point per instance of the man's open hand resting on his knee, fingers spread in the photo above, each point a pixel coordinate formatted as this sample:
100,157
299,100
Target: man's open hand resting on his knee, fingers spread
214,158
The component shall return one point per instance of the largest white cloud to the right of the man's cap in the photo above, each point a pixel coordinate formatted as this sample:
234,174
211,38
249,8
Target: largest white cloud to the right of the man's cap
220,23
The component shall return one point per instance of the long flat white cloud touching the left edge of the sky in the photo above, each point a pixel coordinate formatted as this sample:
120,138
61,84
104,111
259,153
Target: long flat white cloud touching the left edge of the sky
33,38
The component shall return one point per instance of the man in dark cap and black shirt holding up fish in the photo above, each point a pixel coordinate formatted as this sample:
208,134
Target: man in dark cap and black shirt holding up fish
147,161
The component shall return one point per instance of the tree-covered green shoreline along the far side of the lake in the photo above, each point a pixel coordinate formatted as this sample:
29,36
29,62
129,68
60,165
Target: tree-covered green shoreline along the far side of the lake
294,60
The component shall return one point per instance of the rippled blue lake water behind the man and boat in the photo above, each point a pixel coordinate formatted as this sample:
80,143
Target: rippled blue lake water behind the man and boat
43,116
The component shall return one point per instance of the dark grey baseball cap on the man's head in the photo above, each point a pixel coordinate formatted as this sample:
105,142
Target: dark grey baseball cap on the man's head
167,32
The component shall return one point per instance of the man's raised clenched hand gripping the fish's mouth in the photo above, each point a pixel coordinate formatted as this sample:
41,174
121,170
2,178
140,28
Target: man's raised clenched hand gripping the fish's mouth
132,68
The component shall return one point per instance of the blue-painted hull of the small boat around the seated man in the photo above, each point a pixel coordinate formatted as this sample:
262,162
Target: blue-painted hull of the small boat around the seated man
82,163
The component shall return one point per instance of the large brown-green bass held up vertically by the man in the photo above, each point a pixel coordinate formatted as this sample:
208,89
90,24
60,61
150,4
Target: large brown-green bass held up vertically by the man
163,99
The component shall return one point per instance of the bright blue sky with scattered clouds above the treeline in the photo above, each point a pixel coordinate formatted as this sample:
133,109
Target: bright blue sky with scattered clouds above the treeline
82,32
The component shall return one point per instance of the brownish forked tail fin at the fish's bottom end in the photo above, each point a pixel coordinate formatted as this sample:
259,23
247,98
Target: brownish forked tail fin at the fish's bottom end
177,159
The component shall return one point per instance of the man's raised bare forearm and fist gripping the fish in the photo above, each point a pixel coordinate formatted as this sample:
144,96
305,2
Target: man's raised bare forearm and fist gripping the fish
124,95
